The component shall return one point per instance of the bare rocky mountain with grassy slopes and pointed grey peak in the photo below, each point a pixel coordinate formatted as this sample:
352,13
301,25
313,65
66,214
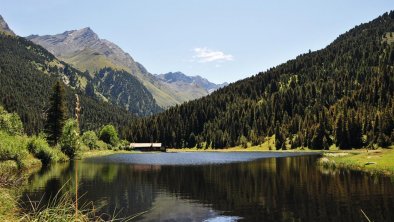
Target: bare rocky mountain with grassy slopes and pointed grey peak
86,51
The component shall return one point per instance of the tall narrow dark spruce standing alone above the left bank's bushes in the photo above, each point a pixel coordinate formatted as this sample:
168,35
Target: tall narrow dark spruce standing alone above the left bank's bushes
56,114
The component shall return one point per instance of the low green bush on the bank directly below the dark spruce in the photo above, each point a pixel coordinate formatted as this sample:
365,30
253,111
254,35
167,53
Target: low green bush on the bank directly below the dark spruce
40,149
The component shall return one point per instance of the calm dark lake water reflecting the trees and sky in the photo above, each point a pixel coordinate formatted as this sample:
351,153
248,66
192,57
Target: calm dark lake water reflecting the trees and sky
220,187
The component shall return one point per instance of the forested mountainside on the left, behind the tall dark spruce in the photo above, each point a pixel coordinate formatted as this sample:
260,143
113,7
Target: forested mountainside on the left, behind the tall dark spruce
27,74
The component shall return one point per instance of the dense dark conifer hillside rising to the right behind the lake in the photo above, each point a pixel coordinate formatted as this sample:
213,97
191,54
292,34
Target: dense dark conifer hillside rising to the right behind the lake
341,95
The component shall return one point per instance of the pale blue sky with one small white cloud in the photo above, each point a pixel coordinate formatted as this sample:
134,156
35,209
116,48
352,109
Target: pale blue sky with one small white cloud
222,40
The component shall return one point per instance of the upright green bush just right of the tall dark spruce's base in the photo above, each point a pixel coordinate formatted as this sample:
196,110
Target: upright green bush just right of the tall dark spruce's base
69,140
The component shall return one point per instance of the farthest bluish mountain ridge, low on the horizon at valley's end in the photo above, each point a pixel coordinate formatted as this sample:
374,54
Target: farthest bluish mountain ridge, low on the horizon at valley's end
179,77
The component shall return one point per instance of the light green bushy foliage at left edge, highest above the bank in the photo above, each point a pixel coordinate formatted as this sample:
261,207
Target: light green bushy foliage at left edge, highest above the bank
10,122
